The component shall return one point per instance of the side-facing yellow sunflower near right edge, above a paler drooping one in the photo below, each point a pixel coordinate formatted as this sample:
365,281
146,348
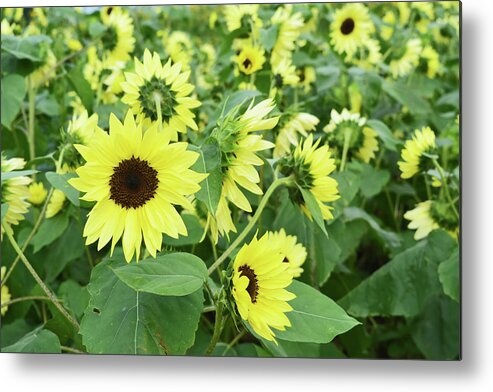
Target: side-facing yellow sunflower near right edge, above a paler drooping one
422,142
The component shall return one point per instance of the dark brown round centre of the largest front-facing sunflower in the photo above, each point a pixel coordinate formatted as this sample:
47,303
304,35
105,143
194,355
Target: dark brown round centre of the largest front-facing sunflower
133,183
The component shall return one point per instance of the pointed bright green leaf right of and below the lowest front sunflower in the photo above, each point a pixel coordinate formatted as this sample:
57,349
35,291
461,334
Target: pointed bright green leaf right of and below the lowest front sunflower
315,318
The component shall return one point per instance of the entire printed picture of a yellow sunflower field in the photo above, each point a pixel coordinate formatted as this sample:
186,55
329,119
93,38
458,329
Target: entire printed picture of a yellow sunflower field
275,180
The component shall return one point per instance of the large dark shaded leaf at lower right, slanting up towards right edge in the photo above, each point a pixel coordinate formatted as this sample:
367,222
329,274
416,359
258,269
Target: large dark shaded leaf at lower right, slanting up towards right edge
402,286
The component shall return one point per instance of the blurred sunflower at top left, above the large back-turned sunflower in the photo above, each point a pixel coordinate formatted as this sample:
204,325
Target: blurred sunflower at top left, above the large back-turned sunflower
117,40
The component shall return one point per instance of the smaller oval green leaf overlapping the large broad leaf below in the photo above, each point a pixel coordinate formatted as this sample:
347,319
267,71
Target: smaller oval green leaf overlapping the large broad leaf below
175,274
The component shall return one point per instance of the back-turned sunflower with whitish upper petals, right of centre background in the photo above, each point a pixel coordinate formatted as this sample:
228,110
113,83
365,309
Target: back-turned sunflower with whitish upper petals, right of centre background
348,131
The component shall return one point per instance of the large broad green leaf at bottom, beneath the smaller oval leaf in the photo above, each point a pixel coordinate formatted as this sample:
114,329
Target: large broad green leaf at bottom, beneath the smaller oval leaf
120,320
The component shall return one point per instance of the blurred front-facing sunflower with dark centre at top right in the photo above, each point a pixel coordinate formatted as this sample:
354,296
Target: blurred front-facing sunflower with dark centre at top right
350,29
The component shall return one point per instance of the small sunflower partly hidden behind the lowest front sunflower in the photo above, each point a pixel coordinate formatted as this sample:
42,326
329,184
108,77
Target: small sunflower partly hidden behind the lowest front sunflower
294,252
